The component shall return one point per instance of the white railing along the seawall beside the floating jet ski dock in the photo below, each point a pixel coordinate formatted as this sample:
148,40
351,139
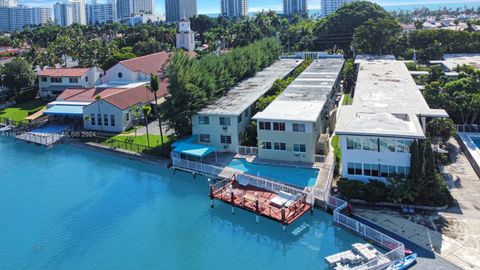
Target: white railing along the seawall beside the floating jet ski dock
397,249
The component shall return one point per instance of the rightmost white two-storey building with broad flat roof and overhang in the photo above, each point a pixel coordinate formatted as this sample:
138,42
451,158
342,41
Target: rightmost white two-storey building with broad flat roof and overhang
387,115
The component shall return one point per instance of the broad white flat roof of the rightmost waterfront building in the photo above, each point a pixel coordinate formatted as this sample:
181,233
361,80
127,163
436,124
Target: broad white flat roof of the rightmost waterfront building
387,102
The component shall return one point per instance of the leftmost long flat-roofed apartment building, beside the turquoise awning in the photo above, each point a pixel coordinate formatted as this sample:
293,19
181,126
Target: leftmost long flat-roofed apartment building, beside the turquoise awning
223,123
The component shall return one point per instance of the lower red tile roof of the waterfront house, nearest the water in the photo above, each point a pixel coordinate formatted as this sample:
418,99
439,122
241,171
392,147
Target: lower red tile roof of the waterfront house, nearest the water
130,97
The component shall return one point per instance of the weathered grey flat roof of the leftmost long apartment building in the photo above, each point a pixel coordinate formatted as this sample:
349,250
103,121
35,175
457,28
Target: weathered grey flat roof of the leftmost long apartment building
247,92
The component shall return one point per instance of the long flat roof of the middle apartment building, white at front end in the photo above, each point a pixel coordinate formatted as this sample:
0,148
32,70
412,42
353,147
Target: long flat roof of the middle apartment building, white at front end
304,98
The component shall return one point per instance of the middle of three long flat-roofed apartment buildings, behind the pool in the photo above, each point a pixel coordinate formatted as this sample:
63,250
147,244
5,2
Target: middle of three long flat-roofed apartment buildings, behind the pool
290,127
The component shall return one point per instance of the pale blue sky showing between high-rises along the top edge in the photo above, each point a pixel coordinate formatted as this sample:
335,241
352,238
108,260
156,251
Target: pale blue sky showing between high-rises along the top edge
213,6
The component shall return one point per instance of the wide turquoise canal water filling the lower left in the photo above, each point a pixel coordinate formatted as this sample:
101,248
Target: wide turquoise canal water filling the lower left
70,208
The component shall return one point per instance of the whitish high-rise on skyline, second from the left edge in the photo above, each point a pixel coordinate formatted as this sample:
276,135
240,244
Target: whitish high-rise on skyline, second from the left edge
70,12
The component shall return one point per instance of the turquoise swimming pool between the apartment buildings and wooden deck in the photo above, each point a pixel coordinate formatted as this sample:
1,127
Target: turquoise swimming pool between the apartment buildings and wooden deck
300,177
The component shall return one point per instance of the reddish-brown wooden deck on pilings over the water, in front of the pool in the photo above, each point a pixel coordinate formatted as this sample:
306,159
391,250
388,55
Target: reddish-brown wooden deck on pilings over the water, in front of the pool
259,201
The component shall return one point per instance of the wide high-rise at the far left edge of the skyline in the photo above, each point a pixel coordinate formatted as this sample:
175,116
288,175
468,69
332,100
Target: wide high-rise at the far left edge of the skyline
17,17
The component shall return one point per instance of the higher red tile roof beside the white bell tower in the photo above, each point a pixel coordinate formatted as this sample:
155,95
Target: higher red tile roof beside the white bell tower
148,64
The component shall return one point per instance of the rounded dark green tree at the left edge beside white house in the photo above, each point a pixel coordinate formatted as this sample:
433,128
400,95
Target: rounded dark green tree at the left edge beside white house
17,74
